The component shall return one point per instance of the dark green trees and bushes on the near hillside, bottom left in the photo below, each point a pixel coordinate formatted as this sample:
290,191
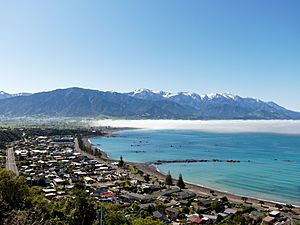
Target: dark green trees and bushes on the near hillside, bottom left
21,204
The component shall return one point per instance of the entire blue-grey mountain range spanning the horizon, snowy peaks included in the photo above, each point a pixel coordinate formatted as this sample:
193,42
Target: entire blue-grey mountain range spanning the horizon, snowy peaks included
141,103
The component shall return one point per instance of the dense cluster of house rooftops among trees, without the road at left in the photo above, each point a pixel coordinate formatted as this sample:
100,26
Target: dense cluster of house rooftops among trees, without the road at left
57,165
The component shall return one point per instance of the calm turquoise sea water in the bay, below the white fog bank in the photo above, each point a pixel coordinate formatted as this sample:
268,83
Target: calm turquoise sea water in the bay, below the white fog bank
269,167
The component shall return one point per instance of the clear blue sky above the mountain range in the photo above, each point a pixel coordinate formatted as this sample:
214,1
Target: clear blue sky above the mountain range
249,48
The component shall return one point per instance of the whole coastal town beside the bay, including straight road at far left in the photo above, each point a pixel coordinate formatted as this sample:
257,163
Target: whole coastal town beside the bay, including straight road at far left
59,164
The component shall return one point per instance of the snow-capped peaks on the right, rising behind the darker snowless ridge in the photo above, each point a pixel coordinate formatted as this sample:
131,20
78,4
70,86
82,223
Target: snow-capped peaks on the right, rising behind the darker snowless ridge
219,105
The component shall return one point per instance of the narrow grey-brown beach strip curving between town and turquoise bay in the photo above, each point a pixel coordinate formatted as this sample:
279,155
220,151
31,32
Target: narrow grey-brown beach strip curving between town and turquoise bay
199,189
